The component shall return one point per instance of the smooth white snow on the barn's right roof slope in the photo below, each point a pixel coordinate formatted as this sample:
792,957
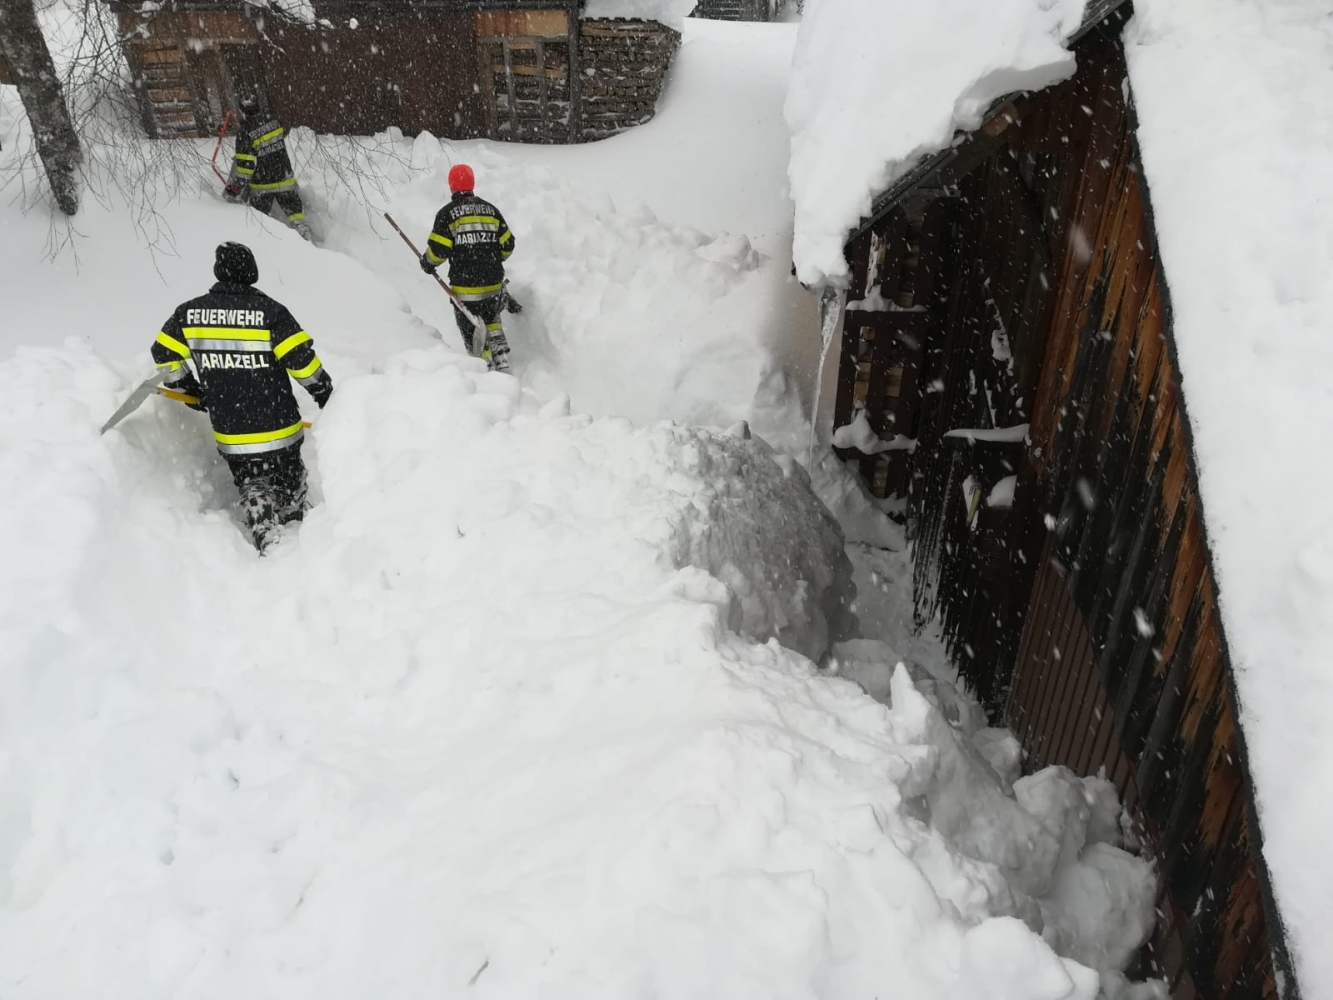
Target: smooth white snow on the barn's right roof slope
1238,142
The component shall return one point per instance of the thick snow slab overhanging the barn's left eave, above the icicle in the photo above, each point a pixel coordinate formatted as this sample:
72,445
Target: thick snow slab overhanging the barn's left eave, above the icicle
879,85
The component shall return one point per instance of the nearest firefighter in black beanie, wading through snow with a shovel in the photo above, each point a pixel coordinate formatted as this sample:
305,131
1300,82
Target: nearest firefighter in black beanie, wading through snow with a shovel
245,347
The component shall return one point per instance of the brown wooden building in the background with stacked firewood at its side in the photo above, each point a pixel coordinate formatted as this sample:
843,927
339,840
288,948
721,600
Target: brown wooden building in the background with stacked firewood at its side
518,70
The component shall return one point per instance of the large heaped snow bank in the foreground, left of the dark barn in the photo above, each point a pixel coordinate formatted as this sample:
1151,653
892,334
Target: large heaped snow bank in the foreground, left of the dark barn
486,713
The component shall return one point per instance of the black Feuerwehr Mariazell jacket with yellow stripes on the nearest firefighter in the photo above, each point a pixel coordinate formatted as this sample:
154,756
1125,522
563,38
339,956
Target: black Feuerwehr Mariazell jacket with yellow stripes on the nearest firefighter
245,350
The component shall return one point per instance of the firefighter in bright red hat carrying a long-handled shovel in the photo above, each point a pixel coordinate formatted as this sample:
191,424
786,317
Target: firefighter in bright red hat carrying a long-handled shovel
473,235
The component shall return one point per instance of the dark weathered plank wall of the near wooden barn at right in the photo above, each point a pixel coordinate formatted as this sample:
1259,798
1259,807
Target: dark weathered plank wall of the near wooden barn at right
1008,314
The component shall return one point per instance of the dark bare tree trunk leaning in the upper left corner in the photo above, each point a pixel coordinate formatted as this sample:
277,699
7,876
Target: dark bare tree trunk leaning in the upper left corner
33,70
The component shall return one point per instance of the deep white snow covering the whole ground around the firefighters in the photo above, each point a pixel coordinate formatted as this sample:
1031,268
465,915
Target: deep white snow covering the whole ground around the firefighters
510,715
